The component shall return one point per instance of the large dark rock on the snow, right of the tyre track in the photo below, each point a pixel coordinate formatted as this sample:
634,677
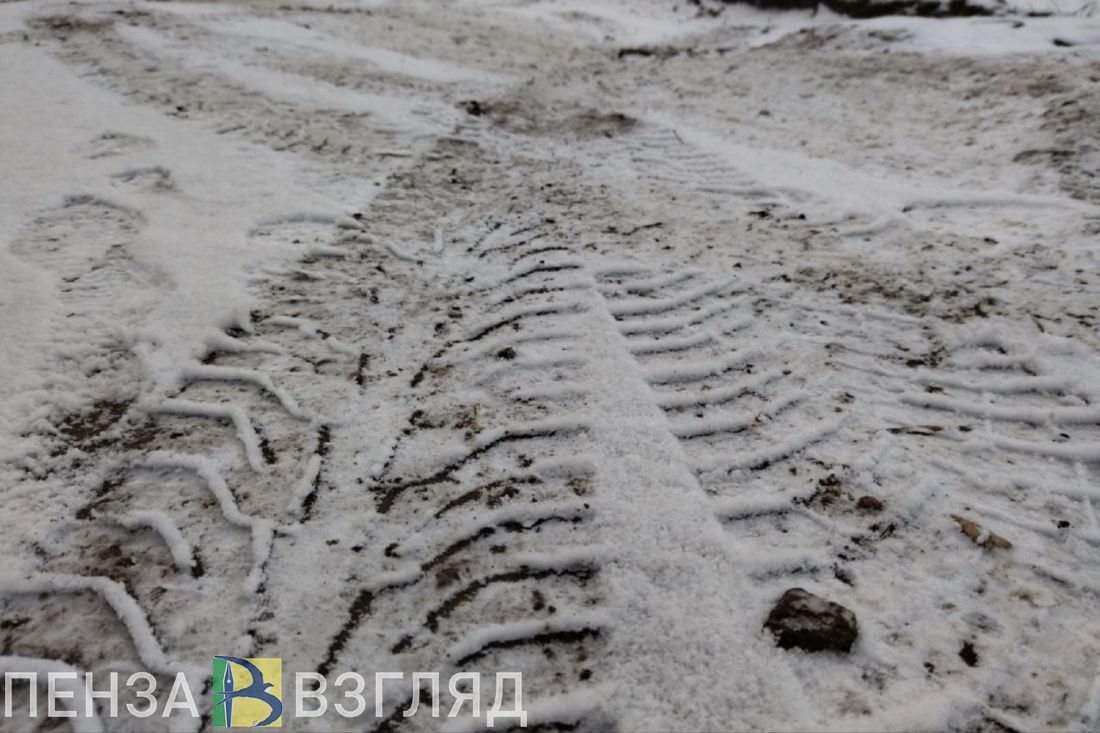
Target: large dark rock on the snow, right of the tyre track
811,623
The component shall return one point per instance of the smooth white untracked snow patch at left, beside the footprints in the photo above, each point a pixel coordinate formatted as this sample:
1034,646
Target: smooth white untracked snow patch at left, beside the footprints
203,261
